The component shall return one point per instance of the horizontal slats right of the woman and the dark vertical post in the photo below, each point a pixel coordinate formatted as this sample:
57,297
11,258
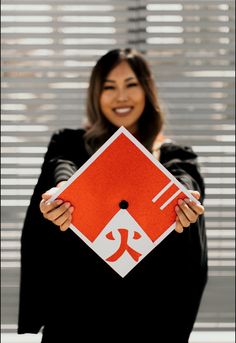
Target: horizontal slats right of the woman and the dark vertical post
190,45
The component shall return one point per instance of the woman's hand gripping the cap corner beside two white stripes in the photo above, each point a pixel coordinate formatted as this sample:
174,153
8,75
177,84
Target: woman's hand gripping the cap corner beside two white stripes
187,212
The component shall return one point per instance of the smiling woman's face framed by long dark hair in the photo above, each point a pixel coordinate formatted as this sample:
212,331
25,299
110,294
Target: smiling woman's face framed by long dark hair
122,100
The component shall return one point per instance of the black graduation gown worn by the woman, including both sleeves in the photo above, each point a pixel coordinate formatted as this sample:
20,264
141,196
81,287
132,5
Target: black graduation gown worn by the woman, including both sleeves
71,292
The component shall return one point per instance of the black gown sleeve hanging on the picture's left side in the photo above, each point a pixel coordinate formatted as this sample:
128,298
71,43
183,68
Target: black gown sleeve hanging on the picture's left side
38,238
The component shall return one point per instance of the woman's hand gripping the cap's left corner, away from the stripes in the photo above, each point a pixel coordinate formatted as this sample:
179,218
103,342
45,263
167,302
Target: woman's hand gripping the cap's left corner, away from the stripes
57,211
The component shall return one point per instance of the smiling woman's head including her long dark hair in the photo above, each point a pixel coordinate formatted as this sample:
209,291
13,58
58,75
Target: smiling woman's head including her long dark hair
122,91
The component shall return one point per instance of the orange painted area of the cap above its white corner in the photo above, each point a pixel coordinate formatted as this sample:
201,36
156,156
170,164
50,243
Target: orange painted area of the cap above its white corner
121,172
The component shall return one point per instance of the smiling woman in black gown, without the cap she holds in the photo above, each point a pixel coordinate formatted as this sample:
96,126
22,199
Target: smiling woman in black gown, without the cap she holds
65,287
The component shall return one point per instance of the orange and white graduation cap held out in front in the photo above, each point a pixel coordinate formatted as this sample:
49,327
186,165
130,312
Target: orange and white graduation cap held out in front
124,201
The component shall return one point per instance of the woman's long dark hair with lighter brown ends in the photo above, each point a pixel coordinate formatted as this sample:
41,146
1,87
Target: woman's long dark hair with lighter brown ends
99,129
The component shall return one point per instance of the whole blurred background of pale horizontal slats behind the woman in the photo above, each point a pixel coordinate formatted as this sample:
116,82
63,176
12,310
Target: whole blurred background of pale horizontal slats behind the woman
48,50
